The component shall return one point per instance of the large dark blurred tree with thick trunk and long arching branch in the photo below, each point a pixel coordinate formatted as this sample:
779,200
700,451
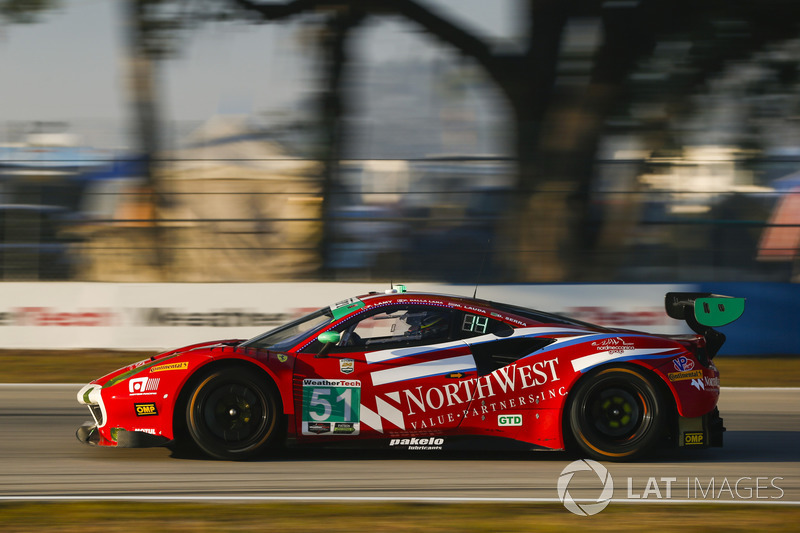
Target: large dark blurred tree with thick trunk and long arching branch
555,171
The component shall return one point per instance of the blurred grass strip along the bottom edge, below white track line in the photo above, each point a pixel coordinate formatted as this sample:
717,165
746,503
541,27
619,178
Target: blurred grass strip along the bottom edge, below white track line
124,517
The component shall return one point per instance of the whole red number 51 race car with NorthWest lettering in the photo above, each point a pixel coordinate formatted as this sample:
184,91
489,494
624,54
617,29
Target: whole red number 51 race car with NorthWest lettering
417,371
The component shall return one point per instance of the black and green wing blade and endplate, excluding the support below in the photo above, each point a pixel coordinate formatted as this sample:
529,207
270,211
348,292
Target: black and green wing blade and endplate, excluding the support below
708,309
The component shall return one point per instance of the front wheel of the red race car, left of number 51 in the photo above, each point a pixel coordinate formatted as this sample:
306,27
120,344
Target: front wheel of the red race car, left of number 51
232,413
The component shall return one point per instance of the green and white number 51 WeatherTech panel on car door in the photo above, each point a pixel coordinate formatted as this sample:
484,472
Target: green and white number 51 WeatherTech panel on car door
331,406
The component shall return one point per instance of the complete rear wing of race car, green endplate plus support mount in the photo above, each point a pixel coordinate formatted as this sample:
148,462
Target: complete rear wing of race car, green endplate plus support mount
704,311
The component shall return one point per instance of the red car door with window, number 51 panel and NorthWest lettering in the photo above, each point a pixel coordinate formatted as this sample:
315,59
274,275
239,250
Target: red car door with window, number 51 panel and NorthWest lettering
397,371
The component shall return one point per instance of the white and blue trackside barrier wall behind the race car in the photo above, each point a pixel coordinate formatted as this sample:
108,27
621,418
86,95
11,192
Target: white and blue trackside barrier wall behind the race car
151,316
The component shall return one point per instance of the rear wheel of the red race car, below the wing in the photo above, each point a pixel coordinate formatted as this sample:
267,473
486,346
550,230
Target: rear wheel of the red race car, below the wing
616,414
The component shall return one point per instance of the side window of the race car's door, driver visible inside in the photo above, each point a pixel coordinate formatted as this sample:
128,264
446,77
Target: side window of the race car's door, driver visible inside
397,327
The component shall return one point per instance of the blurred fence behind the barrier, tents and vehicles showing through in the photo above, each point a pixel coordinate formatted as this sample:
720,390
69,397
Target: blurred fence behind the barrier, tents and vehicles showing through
443,219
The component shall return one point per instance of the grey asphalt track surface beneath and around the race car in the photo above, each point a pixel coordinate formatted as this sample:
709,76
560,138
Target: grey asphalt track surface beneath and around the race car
40,459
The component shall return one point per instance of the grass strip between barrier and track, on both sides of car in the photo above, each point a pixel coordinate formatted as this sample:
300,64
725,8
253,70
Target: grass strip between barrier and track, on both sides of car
82,366
